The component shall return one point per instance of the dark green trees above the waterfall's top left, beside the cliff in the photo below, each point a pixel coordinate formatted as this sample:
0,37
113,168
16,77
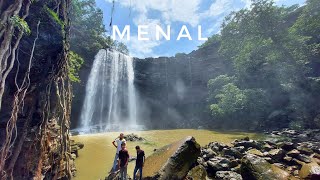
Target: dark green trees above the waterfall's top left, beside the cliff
88,31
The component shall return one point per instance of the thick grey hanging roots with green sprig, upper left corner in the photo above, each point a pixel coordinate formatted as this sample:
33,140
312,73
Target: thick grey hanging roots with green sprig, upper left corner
12,28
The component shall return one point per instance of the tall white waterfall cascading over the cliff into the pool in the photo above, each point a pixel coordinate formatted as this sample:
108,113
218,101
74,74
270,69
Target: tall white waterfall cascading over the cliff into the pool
110,100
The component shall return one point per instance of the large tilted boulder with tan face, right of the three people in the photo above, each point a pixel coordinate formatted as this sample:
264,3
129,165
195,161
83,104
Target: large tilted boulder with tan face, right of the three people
172,161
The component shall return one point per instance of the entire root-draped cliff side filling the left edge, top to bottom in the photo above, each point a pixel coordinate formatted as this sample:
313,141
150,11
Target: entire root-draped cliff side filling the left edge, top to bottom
35,90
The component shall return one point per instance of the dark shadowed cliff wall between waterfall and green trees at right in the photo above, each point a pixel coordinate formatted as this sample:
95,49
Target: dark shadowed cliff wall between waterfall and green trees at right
173,91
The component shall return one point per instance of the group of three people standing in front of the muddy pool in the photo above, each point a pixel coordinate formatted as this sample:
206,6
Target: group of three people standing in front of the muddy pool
121,158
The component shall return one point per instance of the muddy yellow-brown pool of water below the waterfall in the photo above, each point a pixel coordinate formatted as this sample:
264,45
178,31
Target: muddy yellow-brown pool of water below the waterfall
96,158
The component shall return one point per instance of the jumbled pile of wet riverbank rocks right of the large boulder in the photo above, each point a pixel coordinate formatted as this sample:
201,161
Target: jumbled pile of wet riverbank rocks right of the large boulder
286,154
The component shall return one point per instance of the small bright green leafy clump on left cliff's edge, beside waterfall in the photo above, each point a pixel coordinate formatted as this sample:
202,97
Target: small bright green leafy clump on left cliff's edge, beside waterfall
75,63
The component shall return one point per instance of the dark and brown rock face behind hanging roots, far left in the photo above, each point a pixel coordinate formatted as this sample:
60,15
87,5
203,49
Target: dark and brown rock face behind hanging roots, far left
40,143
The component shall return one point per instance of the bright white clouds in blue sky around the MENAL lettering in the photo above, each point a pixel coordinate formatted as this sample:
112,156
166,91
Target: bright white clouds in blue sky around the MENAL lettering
171,11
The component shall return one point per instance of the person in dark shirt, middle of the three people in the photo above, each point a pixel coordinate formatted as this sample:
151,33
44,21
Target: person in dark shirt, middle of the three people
123,161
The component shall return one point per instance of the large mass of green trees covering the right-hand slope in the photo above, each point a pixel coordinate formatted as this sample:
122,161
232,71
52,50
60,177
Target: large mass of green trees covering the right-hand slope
275,56
